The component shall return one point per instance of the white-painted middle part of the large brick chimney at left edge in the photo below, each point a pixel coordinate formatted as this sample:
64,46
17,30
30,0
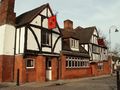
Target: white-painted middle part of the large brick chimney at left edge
7,39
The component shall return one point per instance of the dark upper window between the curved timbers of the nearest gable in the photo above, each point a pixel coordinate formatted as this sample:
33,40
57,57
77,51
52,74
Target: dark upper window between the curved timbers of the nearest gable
46,38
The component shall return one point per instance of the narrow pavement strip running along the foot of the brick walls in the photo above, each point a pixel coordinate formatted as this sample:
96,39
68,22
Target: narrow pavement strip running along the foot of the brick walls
50,83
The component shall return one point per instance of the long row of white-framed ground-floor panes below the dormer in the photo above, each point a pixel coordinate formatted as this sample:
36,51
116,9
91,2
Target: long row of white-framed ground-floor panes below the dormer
76,62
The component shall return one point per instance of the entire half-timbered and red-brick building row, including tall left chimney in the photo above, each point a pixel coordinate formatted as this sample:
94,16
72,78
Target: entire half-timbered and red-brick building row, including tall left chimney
33,48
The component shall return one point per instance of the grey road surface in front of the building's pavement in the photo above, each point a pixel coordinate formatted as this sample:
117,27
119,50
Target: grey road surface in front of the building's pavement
101,83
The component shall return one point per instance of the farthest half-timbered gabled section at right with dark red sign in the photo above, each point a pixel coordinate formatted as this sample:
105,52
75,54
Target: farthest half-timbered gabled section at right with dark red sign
95,46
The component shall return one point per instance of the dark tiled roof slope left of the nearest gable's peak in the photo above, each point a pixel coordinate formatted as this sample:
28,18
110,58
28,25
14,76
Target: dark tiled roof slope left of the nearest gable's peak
28,16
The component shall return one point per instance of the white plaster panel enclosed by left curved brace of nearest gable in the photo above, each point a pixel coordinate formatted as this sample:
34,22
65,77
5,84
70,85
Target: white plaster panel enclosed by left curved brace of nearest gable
31,42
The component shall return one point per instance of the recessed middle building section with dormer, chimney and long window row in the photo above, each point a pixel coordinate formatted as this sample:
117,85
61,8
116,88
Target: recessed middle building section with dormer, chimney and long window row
74,58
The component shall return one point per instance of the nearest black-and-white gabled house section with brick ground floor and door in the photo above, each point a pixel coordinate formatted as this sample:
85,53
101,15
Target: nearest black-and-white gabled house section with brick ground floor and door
37,45
